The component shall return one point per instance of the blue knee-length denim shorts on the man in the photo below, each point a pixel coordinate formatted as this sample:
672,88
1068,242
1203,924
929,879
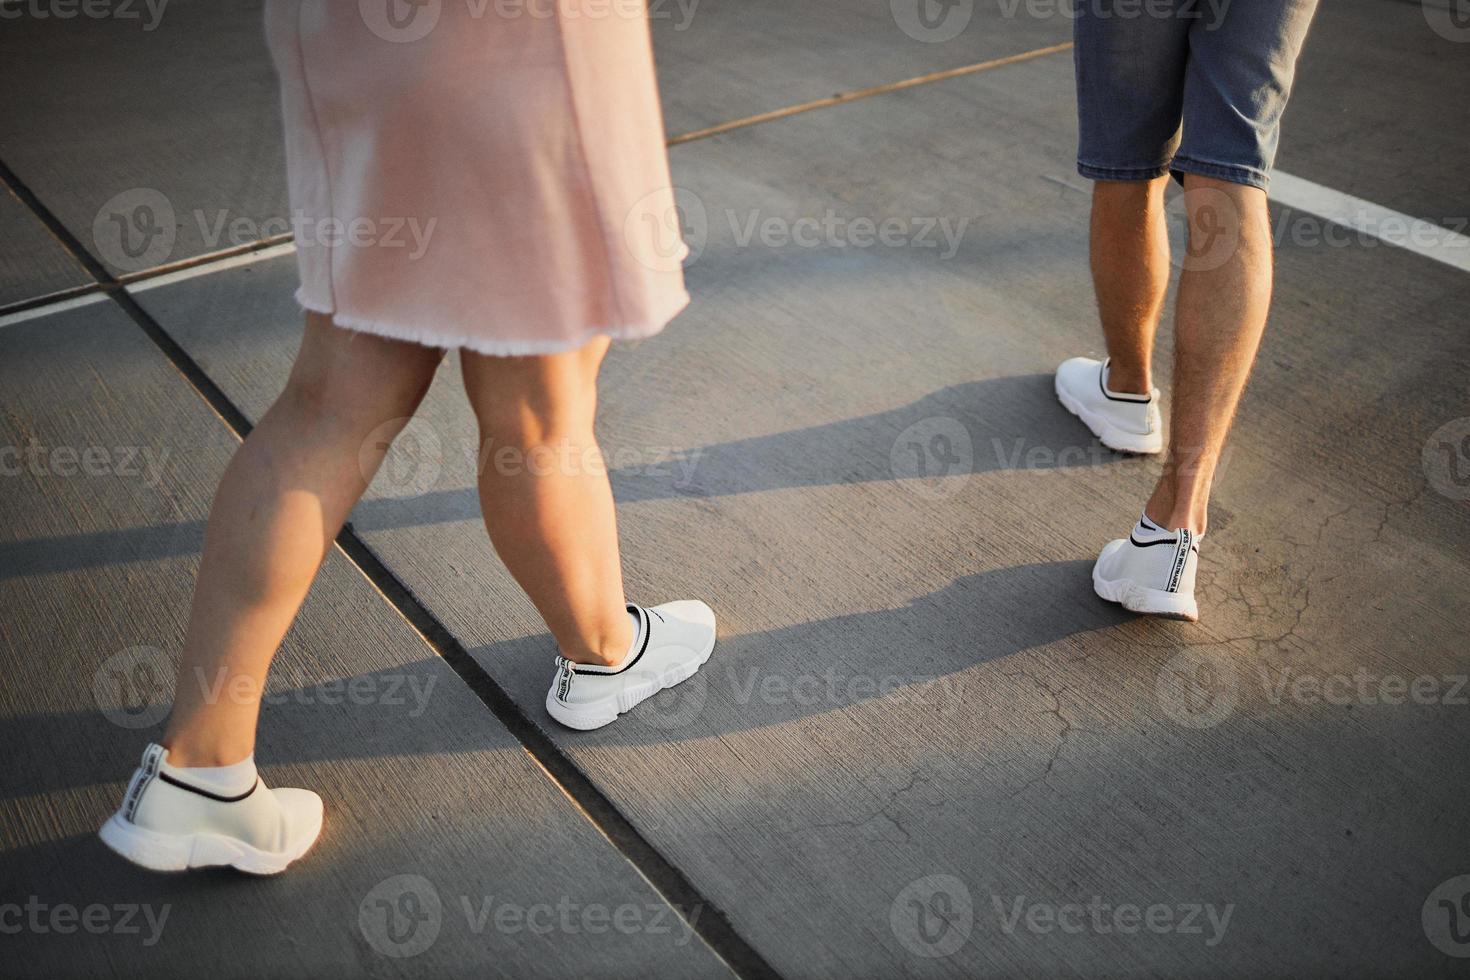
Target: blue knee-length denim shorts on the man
1186,86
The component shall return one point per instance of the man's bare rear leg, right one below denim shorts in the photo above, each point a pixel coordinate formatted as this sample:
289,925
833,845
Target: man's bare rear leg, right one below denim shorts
1221,314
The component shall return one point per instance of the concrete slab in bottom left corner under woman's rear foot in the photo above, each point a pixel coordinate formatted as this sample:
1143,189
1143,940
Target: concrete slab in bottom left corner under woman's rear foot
446,853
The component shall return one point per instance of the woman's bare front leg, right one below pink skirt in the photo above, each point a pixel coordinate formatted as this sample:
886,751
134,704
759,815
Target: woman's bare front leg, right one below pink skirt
546,497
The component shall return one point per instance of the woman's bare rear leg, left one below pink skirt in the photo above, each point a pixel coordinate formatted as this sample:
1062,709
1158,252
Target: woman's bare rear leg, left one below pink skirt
279,509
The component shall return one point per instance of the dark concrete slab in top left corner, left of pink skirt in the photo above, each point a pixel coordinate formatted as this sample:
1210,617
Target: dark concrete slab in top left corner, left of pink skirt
182,143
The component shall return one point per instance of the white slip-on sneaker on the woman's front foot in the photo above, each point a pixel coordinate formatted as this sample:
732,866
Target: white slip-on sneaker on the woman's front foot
671,644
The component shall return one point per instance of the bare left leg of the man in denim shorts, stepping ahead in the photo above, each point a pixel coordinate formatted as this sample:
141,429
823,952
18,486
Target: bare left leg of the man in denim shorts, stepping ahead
1130,251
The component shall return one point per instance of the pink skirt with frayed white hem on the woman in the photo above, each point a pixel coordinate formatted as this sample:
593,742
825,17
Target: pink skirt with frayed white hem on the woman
478,174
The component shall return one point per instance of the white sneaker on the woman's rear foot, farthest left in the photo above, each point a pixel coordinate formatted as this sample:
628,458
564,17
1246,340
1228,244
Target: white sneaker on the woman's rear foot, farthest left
167,825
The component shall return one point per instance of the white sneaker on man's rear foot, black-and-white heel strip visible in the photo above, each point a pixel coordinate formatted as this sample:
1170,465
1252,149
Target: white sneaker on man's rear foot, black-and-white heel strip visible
1152,572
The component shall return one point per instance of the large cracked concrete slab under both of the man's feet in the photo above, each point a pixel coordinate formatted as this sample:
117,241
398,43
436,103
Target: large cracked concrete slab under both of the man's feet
922,737
